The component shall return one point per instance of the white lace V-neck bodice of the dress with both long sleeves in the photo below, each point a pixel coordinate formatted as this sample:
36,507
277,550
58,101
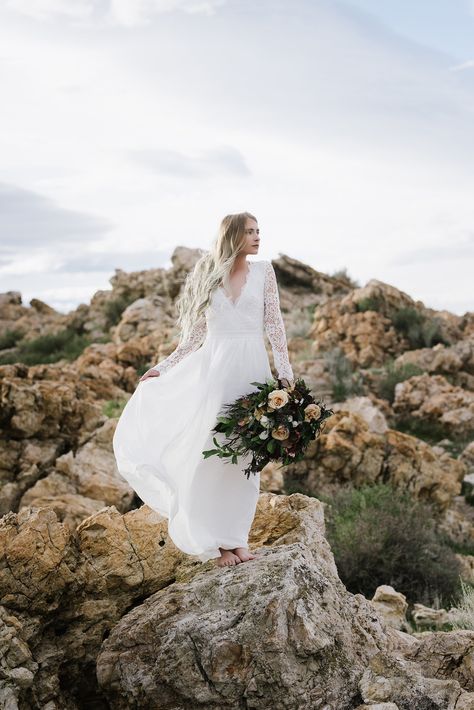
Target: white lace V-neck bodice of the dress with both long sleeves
256,310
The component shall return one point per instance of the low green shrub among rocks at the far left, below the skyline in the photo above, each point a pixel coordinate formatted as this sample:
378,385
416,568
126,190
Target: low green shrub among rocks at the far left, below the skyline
66,344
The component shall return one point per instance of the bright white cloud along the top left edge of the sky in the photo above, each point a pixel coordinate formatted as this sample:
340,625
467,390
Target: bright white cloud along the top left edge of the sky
128,13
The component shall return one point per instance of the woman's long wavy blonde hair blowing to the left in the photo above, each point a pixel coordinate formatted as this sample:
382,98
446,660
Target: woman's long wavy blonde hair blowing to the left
211,270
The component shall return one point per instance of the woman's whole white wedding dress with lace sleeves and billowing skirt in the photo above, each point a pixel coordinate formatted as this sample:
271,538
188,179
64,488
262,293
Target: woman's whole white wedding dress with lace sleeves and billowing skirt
166,424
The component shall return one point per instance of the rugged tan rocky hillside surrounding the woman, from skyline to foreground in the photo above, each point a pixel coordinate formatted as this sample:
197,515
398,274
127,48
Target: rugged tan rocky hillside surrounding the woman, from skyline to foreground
99,609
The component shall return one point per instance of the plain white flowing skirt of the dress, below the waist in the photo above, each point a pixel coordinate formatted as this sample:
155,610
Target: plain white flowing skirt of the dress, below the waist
166,425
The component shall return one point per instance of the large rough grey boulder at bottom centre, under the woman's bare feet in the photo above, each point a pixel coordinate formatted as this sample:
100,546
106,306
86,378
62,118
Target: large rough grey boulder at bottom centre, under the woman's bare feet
226,637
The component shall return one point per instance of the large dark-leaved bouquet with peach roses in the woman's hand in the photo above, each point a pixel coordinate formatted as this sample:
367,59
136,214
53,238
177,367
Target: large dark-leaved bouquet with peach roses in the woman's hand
274,423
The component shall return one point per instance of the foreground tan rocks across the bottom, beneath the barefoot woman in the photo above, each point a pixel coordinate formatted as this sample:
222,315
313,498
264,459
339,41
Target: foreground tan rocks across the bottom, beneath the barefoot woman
113,612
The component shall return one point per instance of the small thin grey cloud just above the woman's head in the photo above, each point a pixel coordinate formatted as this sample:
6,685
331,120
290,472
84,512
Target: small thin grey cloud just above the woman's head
216,162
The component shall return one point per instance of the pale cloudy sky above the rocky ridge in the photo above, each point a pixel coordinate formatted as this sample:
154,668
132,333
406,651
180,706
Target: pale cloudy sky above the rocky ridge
130,127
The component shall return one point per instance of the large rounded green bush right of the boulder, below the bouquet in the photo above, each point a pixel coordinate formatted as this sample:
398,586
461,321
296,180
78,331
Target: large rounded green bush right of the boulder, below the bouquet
379,535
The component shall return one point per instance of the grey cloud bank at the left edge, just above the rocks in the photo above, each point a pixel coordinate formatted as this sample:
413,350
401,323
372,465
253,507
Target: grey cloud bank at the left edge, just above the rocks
29,220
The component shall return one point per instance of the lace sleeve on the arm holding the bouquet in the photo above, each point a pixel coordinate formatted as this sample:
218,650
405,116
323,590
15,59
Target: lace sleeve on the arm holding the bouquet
273,323
